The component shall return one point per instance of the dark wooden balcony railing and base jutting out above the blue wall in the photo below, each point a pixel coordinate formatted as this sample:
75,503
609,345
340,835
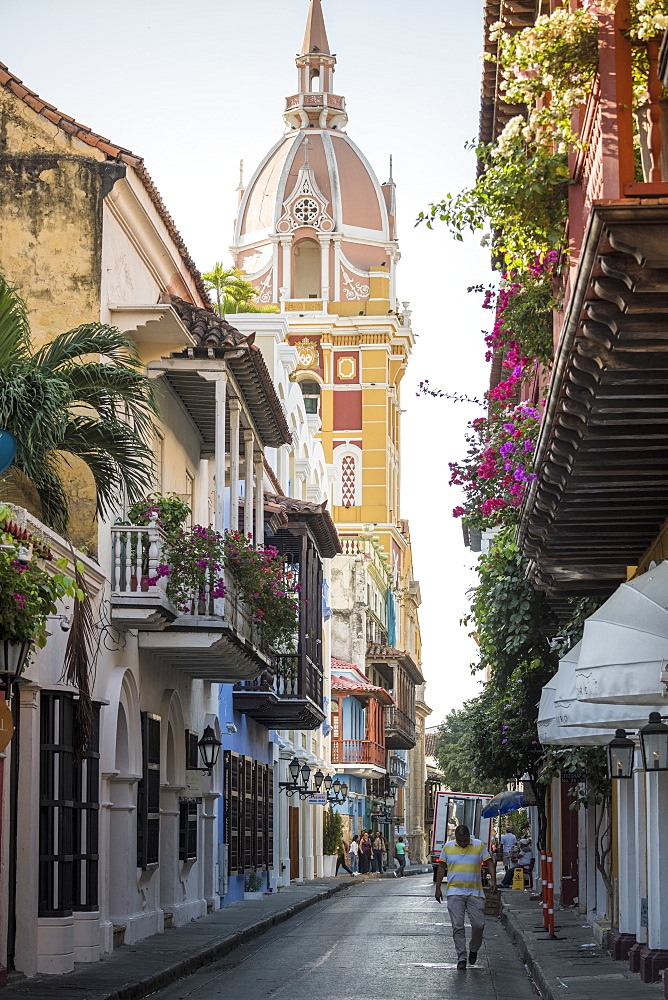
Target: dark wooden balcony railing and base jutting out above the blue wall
287,695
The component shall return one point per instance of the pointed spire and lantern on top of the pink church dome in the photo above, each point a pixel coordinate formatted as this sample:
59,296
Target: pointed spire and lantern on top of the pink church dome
316,105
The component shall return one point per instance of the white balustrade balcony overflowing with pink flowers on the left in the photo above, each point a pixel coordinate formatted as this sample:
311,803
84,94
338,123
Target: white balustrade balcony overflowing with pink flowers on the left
204,601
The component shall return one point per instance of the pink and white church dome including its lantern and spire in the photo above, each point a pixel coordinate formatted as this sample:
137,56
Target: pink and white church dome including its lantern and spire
314,222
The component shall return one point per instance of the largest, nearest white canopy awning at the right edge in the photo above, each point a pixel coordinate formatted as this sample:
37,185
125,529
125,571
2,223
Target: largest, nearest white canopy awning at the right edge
624,649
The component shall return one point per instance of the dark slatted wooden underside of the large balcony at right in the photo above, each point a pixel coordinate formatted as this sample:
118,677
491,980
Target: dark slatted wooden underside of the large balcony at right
601,493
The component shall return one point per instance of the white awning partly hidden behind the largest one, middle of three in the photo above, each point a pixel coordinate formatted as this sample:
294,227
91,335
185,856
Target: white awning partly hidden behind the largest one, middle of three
571,712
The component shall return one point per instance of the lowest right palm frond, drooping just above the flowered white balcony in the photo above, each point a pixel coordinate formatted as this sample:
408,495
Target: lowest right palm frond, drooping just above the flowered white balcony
117,457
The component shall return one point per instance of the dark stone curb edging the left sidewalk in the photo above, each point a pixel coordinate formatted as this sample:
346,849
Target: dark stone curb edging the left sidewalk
186,967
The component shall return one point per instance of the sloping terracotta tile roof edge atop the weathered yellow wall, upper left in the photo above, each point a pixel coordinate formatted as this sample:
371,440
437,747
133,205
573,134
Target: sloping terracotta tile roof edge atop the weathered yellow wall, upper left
112,152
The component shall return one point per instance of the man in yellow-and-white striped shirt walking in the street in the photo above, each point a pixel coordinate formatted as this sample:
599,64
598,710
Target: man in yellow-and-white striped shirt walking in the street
463,857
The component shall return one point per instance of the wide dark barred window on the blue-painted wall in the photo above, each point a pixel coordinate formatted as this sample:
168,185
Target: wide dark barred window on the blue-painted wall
249,813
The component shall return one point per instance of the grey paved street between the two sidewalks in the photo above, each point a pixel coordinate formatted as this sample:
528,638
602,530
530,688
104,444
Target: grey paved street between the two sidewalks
385,940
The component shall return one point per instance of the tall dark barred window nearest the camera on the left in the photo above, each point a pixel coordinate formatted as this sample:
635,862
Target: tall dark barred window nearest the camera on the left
68,810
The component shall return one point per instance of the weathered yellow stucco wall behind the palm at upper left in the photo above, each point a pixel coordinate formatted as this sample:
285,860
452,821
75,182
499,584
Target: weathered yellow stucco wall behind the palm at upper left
51,191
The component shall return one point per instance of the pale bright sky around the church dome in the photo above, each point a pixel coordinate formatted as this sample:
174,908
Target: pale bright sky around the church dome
193,88
